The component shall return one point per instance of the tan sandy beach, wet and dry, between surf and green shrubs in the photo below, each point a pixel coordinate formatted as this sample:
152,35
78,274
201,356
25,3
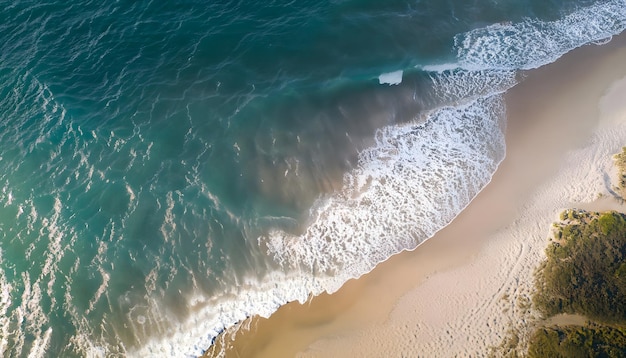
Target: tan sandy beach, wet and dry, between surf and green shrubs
461,291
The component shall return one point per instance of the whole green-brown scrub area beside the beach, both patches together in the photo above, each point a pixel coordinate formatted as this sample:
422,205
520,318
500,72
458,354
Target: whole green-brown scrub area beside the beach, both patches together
583,275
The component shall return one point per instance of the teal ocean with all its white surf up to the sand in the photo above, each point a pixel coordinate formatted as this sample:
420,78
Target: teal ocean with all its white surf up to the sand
168,169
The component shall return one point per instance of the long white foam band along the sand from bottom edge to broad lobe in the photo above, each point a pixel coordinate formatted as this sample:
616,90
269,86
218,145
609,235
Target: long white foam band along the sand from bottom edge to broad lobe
411,183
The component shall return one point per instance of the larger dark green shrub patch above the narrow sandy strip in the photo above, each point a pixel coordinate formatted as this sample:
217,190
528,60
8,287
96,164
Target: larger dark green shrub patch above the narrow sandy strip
585,269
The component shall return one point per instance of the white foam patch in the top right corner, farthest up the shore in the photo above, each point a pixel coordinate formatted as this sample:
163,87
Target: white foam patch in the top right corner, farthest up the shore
533,43
